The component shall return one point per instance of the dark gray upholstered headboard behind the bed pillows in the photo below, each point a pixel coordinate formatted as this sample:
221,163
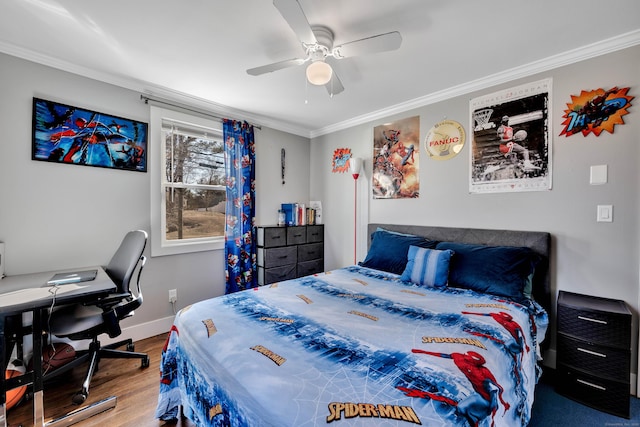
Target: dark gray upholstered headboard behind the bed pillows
538,241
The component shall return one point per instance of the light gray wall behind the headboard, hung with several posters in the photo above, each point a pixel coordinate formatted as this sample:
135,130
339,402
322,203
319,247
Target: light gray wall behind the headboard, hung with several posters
593,258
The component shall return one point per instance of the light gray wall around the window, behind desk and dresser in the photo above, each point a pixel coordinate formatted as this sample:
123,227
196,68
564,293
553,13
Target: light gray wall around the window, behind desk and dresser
56,216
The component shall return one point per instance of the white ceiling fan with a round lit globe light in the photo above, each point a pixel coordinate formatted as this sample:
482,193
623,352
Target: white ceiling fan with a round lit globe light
317,42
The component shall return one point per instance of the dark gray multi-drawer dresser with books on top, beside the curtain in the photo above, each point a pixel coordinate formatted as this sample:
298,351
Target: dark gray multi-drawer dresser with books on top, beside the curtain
289,252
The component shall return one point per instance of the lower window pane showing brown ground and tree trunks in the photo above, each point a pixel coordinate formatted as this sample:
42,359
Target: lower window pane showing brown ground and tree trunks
194,213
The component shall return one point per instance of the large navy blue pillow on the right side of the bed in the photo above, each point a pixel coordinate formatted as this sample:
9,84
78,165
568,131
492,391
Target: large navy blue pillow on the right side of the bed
498,270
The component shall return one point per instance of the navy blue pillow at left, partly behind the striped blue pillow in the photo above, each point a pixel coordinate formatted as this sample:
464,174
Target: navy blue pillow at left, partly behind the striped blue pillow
388,250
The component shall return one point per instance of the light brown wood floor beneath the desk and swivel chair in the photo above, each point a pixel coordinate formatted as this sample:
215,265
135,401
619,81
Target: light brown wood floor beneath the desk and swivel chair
136,390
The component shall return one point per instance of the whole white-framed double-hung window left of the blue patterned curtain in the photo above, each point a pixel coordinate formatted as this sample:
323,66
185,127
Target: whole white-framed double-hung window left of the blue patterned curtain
188,183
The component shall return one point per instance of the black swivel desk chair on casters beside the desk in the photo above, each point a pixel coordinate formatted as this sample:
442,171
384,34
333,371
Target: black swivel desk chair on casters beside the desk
89,320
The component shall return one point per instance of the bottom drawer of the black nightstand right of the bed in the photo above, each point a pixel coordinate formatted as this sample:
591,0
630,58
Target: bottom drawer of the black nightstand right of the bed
601,394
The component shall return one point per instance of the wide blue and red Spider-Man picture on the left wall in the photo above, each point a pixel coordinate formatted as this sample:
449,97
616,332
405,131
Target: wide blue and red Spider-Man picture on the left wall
72,135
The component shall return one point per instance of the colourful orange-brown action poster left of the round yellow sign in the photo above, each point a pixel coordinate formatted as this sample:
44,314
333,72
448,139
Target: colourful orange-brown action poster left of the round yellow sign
396,159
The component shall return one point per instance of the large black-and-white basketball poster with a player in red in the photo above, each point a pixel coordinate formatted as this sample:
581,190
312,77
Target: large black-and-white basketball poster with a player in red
511,140
